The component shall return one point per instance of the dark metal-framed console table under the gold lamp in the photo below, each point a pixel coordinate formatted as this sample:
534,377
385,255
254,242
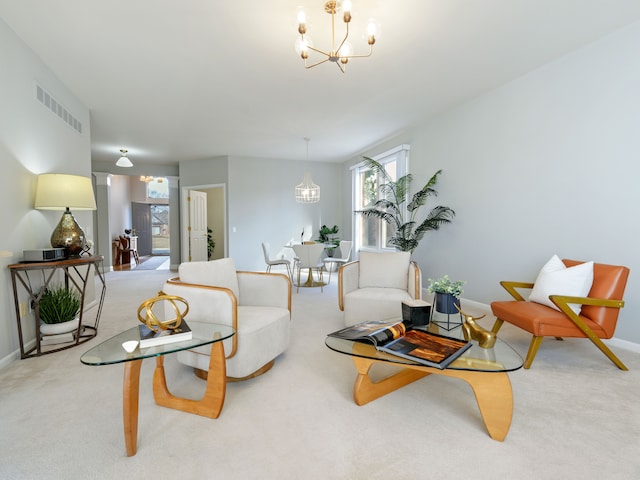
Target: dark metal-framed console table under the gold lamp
76,272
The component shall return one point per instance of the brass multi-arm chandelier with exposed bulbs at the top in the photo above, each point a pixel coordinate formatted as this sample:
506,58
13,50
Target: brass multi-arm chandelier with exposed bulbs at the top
341,51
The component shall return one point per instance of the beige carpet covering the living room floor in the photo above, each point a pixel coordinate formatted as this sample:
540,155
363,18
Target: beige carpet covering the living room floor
576,415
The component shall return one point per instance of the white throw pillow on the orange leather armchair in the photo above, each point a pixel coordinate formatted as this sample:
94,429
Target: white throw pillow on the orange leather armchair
556,279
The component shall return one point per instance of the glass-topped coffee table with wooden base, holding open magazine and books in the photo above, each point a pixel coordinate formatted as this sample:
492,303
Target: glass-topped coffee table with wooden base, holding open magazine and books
485,370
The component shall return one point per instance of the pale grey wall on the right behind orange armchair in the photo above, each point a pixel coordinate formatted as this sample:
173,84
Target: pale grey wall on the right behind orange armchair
548,163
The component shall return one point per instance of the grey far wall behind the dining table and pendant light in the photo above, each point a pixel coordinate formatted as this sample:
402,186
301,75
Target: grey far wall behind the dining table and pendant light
261,204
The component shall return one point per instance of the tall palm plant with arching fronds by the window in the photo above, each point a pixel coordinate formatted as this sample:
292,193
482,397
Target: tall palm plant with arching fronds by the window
391,208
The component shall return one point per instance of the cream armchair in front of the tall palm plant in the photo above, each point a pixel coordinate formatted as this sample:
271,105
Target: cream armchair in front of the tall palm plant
374,287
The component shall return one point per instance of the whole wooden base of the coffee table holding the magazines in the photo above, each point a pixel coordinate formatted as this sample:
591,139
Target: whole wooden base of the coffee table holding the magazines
492,390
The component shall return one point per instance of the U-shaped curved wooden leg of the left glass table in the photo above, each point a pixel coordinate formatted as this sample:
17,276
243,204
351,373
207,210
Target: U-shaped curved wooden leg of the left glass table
211,403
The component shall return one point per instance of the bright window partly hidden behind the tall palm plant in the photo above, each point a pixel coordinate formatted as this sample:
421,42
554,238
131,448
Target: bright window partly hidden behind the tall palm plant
372,233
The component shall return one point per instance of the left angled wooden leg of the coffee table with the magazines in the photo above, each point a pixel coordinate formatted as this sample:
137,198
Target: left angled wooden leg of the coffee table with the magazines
365,390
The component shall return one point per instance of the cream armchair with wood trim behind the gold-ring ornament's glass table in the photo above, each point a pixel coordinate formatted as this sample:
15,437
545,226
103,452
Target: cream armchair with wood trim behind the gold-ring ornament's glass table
256,304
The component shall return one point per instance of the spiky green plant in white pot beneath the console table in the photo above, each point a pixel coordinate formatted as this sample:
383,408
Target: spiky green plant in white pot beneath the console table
59,310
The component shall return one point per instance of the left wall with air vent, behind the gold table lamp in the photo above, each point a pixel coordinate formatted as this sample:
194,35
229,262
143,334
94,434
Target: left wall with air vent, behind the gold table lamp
32,141
